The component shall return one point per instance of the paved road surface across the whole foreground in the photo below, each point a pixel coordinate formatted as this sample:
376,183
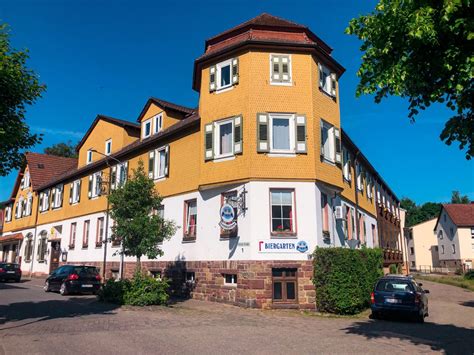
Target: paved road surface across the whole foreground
32,321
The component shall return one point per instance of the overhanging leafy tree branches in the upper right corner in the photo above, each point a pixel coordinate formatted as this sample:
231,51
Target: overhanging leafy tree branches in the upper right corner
421,50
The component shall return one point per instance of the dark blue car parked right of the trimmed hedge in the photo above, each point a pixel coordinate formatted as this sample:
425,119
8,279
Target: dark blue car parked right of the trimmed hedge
399,295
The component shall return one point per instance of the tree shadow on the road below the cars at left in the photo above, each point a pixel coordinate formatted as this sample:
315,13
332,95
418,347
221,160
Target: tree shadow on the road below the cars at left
33,312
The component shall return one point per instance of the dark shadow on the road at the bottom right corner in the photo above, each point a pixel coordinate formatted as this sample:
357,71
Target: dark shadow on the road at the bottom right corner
441,337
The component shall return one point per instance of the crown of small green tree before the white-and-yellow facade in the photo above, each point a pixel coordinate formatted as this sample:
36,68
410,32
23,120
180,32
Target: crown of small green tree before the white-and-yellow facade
133,208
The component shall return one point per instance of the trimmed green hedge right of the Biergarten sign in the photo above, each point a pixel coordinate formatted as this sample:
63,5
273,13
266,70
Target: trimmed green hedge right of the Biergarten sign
344,278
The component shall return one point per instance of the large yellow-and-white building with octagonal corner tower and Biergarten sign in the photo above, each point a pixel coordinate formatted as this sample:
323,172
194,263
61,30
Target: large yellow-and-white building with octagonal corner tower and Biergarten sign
266,137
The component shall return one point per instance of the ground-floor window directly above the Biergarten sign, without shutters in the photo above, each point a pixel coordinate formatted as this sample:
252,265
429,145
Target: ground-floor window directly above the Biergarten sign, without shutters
282,211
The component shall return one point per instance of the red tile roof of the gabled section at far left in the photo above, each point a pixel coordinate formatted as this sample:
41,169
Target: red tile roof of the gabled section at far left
44,167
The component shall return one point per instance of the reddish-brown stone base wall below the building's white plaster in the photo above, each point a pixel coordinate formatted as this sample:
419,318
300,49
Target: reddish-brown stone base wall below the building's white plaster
254,280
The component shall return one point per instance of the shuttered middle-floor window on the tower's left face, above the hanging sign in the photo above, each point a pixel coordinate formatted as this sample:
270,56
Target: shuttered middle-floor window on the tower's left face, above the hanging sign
223,138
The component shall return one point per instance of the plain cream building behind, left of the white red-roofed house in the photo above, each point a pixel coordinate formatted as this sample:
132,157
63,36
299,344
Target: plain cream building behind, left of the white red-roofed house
422,246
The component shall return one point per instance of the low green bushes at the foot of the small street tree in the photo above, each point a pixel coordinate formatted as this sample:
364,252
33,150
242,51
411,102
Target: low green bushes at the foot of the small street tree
141,290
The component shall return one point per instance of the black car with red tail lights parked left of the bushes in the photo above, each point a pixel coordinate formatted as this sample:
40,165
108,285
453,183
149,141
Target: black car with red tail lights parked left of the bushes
73,279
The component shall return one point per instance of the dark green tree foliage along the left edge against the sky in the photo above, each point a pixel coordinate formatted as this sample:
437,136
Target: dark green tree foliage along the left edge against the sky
19,87
